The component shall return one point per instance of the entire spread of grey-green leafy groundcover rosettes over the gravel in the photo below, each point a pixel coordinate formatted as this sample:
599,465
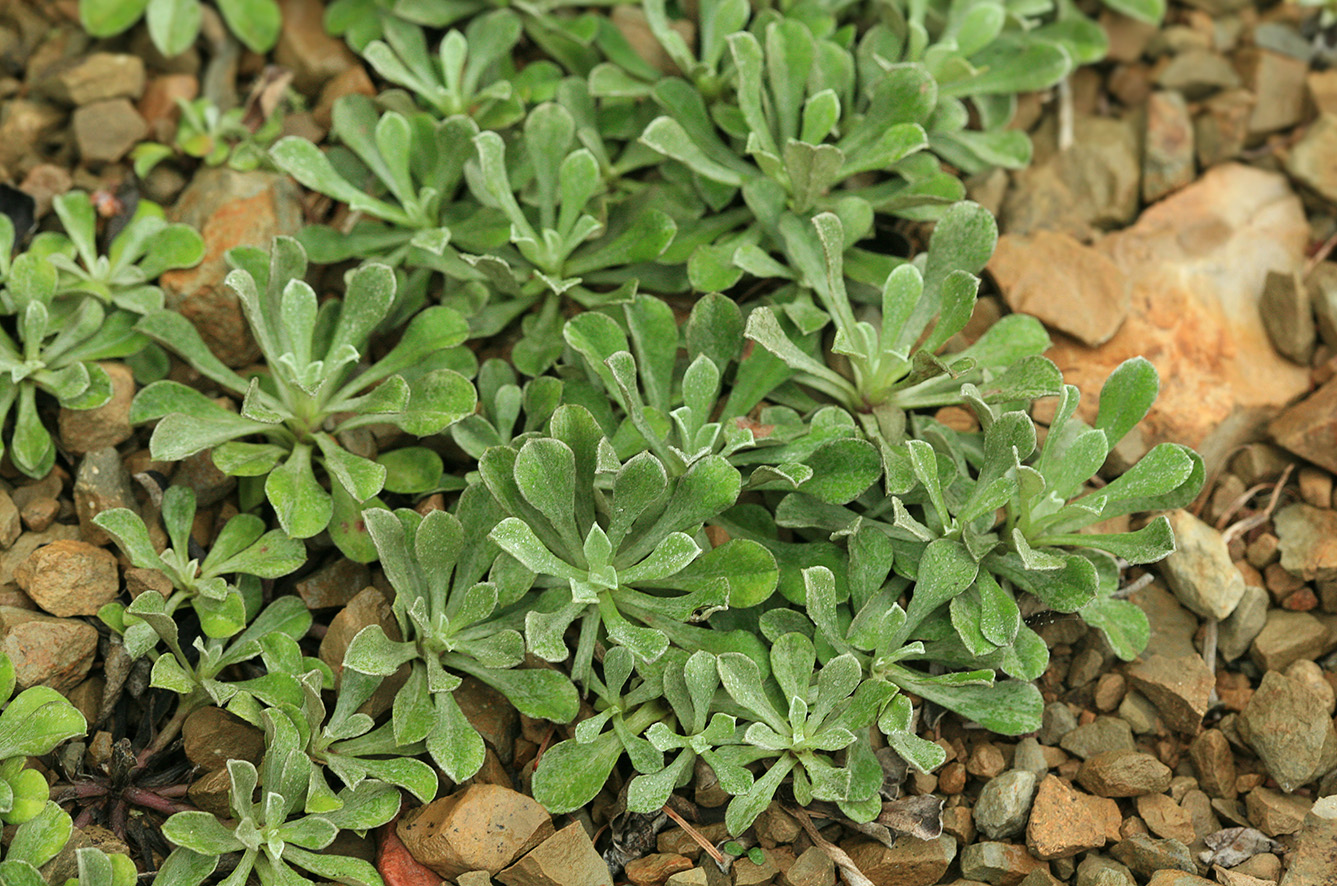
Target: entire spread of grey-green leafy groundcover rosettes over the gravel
613,378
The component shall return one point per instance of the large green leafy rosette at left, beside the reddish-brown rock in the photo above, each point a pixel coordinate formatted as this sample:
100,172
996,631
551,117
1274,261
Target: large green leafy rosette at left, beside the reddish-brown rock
316,391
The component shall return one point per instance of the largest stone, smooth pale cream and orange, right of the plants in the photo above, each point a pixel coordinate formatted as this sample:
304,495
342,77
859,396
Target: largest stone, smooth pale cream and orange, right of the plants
1196,264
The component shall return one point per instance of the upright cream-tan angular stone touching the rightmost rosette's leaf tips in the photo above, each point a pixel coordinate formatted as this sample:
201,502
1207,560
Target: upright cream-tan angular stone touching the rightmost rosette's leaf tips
1200,573
